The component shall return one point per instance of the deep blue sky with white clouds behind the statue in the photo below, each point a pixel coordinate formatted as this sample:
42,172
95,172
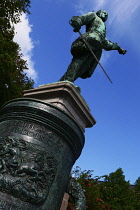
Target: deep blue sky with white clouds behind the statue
45,38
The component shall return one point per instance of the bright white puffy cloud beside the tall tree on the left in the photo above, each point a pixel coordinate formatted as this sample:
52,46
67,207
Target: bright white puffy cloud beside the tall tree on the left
22,37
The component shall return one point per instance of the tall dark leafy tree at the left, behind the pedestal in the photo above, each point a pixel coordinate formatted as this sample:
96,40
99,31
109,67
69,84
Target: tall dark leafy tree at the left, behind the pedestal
13,79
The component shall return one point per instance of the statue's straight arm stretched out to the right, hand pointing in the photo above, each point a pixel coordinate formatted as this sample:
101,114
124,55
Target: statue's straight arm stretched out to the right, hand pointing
108,45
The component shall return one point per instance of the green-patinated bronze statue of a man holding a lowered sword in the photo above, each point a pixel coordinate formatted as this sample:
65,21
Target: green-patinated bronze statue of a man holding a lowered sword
83,63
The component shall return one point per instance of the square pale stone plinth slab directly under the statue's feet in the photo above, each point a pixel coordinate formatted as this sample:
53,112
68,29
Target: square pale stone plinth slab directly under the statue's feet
65,96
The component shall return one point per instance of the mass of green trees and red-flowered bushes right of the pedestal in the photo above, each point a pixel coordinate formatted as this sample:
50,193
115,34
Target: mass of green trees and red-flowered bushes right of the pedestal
113,193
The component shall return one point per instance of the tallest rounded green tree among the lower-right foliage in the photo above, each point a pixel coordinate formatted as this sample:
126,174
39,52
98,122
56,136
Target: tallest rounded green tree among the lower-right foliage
116,190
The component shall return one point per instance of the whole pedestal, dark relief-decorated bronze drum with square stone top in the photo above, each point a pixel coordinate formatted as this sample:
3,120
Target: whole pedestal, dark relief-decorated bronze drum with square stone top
40,140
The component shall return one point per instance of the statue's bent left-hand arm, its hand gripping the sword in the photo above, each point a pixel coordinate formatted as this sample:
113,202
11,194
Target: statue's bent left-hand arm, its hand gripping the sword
77,21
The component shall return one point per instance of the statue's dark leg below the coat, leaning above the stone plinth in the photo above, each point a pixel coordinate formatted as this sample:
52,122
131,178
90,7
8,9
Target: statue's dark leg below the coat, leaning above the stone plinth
73,71
